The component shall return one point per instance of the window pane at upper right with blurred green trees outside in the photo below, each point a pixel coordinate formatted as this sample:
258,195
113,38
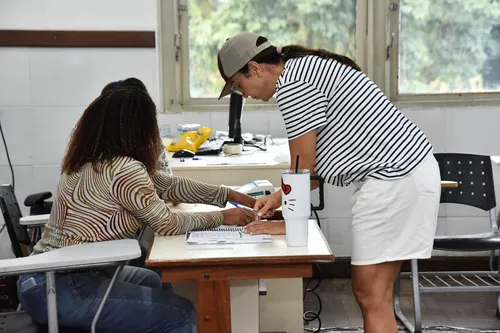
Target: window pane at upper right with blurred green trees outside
445,49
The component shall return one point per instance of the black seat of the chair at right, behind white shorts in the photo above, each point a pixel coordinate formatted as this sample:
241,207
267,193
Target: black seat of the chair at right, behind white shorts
476,242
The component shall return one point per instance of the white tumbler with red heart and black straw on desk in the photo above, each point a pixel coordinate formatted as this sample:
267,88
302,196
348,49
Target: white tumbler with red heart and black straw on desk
296,205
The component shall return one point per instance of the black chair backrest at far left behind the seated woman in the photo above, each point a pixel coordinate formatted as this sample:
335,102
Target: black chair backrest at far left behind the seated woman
11,215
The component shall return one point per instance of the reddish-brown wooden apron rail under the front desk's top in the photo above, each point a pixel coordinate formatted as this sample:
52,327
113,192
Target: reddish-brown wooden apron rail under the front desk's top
218,273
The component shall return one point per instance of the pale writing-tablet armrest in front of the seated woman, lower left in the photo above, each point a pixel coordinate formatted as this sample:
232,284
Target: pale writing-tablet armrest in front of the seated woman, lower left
74,256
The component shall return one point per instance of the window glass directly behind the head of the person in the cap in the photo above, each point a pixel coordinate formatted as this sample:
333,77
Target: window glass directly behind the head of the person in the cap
314,23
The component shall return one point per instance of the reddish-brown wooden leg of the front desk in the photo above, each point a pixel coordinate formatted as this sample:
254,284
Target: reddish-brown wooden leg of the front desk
214,307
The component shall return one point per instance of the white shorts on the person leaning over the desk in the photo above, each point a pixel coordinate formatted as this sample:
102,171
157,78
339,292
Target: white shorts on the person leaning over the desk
396,219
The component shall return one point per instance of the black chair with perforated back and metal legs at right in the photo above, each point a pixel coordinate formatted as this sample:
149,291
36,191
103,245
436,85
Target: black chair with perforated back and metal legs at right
475,188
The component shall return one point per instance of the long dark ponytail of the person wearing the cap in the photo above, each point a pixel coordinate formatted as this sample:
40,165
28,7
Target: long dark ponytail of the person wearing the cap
271,56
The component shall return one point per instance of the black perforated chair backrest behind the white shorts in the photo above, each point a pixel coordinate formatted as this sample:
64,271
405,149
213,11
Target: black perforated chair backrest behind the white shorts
474,176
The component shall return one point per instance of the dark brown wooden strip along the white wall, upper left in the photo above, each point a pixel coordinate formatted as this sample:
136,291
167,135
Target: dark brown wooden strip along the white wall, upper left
66,38
